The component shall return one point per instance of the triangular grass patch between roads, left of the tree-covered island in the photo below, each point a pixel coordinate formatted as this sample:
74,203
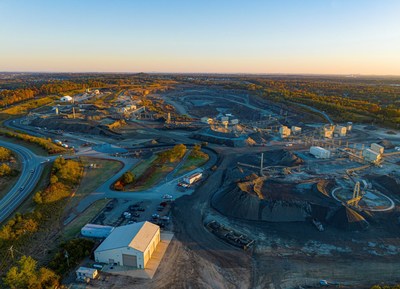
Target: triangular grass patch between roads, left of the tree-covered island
93,177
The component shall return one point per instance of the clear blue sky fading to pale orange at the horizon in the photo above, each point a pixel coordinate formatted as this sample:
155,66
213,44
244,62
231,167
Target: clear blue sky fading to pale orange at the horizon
247,36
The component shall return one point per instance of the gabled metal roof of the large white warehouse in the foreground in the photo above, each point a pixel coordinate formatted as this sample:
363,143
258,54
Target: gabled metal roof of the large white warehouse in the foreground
137,236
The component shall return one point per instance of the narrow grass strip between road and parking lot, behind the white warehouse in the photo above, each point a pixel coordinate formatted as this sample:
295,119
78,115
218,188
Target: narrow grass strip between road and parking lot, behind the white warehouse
72,229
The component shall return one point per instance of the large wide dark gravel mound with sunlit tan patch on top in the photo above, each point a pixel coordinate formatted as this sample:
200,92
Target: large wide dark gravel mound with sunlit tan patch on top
266,200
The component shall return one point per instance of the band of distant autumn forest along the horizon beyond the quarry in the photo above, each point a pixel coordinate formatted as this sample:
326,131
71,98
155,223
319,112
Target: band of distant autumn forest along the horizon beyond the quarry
358,99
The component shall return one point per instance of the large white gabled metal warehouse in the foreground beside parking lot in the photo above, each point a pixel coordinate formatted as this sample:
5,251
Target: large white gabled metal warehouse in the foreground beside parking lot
130,245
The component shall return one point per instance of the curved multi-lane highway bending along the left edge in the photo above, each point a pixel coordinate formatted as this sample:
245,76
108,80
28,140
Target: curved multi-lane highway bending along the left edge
31,171
